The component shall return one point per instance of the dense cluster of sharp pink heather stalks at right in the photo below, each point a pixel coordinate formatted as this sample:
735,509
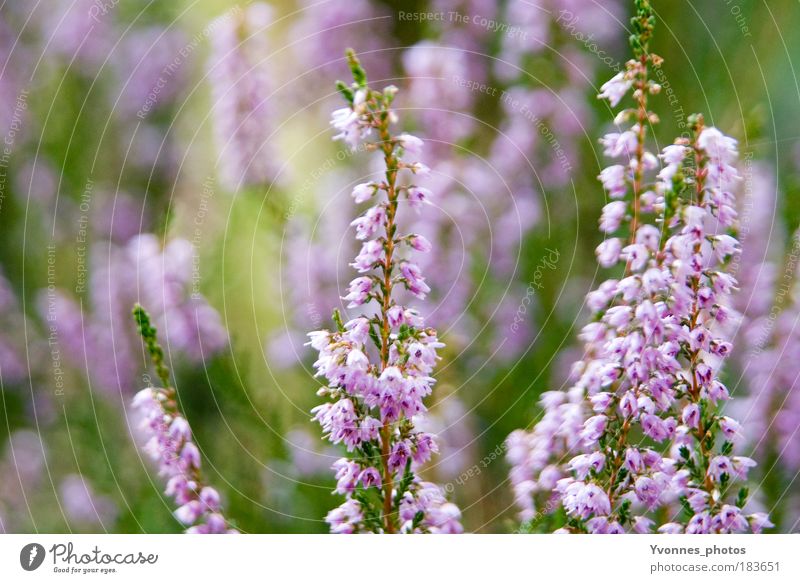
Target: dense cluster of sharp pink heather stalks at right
639,441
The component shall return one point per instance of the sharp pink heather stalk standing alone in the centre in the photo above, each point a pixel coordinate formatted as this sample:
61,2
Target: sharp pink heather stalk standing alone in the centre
378,364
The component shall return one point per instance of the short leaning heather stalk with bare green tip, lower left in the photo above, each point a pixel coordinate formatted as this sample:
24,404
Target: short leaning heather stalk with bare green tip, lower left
170,445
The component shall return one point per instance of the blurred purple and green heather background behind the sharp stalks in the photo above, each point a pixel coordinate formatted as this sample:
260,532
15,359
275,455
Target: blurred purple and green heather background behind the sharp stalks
179,154
